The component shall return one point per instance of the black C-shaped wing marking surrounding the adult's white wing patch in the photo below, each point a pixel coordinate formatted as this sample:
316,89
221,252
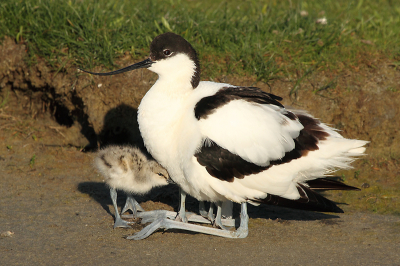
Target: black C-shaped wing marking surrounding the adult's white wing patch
223,164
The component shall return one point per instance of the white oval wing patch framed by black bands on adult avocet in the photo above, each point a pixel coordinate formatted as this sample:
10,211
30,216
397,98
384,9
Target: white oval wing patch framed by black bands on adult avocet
257,133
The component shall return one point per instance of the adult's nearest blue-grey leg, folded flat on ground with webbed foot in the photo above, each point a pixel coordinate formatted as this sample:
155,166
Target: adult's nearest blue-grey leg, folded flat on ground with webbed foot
164,223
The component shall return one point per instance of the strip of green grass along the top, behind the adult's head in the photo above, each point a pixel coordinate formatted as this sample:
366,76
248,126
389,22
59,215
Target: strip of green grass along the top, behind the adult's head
262,38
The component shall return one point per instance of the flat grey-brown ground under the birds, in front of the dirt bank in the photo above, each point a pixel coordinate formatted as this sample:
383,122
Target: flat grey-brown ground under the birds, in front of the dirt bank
60,213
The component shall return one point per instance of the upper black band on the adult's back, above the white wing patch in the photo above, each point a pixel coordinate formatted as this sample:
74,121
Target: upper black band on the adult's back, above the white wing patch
207,105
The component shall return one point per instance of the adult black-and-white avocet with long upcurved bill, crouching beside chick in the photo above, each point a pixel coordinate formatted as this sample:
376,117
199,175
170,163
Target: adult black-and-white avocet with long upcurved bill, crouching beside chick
222,142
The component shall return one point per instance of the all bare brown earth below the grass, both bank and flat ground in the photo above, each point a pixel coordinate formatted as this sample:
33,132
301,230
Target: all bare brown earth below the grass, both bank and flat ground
59,210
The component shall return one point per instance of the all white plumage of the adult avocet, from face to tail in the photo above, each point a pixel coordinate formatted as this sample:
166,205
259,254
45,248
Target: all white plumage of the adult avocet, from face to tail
257,133
